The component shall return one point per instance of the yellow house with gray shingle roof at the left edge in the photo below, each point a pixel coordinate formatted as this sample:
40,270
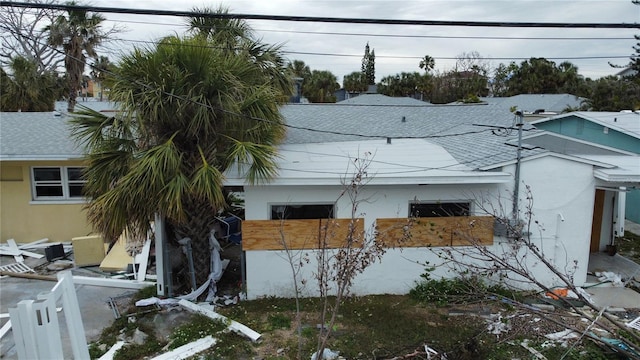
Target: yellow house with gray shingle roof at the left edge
40,182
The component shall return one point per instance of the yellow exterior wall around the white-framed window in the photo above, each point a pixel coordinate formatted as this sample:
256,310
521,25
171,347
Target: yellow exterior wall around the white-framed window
23,221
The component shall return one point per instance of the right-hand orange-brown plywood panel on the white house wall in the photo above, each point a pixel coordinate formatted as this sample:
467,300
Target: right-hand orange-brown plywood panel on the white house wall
436,231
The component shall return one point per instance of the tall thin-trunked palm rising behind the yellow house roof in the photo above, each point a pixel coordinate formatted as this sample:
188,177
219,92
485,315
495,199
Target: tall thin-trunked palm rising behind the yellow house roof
78,34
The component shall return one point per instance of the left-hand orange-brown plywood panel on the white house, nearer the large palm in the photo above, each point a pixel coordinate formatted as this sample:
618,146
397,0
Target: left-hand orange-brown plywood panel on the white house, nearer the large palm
299,234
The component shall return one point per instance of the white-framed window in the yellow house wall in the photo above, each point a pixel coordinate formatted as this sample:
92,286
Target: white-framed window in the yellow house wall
57,183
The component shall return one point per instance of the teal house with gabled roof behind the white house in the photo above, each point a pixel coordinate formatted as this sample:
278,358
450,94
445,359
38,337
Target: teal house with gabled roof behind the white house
620,130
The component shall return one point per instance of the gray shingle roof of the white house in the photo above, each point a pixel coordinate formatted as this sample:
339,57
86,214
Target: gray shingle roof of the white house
475,135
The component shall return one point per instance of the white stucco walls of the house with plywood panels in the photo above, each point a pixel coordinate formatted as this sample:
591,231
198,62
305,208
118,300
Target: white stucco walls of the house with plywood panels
561,189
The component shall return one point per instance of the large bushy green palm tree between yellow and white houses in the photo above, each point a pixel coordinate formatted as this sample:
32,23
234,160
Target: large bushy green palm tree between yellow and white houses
190,110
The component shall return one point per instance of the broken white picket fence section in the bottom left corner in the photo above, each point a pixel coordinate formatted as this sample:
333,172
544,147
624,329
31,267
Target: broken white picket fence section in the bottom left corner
35,323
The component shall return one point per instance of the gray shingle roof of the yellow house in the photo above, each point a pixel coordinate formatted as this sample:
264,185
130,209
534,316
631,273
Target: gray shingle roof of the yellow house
36,136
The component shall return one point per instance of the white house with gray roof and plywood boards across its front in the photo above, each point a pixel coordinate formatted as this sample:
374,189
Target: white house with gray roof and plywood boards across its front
438,160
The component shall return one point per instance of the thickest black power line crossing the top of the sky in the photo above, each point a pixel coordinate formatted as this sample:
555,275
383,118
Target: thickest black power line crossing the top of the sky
502,24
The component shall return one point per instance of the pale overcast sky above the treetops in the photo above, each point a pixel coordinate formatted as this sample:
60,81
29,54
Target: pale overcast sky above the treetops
398,48
